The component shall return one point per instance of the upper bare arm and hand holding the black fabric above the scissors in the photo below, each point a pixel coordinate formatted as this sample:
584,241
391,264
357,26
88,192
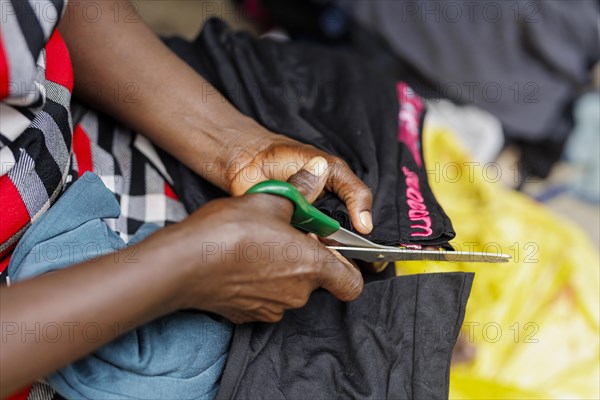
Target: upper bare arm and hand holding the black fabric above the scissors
182,113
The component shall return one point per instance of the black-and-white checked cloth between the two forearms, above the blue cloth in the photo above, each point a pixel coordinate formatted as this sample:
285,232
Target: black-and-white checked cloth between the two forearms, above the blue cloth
130,167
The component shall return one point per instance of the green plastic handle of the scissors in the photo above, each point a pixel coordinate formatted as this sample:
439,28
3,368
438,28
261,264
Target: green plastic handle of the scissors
305,215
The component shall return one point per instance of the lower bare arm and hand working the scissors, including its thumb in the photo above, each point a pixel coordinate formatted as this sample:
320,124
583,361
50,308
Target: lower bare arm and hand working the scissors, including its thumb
170,272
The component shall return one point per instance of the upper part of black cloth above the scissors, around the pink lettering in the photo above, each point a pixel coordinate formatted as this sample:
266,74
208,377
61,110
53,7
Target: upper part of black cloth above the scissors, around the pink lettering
317,96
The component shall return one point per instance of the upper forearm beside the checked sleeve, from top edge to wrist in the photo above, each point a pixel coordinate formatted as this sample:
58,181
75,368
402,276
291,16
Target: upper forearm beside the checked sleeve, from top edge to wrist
123,69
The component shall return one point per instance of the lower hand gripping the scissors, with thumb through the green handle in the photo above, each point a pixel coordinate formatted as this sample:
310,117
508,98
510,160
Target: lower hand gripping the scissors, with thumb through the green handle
253,264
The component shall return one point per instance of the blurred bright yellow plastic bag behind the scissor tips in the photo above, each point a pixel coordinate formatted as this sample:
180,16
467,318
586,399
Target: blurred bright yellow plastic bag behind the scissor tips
534,322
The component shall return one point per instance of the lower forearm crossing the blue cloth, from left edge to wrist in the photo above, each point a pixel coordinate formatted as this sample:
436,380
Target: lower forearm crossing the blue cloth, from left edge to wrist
55,319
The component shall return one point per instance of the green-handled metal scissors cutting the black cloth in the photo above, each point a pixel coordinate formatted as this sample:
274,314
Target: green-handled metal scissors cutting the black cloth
310,219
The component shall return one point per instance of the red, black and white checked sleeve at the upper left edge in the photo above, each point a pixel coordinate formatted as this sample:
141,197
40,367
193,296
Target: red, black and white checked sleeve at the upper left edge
36,81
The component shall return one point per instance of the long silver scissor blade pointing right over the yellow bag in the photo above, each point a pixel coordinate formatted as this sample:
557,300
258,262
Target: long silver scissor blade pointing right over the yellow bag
387,253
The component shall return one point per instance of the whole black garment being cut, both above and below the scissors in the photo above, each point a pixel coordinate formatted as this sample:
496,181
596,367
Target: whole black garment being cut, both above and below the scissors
396,340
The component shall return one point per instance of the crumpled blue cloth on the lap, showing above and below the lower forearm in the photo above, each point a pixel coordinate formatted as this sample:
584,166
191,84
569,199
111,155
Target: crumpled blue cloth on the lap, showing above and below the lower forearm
178,356
